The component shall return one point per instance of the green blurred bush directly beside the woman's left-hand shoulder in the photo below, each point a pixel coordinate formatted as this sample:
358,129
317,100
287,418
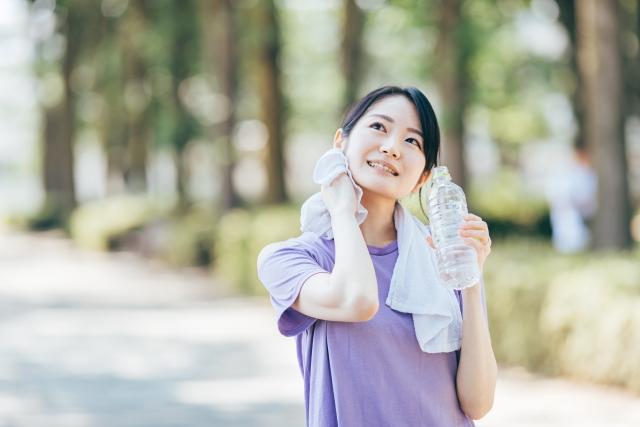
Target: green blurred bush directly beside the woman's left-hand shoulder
241,235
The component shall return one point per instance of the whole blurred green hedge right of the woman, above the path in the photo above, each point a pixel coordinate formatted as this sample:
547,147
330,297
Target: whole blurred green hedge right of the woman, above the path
576,316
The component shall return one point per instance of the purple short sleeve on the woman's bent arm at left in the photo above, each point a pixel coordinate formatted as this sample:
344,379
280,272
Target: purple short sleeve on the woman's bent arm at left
283,273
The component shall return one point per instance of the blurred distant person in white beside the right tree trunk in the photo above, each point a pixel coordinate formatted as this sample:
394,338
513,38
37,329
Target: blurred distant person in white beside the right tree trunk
571,194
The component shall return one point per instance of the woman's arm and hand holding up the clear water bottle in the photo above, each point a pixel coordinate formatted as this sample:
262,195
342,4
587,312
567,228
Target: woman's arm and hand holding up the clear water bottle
477,369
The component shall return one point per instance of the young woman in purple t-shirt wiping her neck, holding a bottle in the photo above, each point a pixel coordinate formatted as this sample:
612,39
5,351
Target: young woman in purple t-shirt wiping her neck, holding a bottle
360,360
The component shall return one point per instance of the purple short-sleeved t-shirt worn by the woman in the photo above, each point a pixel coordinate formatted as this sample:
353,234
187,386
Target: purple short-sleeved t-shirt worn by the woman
360,374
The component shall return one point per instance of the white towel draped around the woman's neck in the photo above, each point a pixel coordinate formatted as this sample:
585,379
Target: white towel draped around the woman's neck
415,284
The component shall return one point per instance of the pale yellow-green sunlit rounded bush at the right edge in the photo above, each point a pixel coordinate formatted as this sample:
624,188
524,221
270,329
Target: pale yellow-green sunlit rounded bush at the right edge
591,320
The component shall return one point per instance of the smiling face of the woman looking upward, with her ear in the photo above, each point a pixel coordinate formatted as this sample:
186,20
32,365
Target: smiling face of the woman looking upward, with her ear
385,149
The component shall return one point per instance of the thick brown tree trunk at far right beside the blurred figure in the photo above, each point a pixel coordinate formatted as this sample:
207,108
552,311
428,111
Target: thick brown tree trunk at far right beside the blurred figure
600,64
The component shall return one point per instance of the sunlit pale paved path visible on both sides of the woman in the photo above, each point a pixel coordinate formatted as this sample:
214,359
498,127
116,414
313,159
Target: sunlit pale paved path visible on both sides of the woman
91,339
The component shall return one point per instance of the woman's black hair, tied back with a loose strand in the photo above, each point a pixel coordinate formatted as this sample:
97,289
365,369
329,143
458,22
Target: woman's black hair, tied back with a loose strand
428,120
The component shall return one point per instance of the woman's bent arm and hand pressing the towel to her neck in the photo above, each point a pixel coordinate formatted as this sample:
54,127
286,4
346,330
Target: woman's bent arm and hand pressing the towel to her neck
350,292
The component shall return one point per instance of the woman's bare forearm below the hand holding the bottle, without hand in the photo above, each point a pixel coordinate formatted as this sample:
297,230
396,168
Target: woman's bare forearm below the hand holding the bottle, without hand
477,370
